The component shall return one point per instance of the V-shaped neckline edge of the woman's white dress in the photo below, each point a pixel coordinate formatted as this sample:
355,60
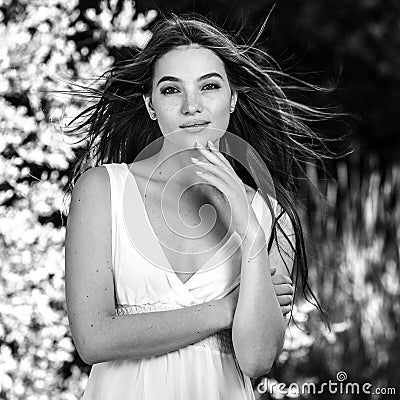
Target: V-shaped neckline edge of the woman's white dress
158,244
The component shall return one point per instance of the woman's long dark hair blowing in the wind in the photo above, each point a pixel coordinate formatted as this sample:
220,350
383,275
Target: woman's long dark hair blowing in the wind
117,128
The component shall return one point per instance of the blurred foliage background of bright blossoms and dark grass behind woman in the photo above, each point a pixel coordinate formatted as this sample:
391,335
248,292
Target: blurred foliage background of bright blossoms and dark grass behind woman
352,219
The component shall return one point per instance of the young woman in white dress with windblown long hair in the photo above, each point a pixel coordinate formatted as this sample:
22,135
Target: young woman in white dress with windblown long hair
189,316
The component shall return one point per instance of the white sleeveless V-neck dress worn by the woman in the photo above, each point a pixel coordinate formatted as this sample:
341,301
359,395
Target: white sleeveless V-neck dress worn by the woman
207,369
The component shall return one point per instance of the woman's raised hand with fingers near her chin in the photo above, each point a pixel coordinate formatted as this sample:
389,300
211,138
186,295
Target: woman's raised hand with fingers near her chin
220,174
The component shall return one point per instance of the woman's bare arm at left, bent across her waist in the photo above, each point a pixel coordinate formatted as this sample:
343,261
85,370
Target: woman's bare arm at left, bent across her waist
98,334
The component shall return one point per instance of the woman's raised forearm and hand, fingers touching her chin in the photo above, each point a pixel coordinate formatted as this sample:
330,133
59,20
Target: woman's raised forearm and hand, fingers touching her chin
258,329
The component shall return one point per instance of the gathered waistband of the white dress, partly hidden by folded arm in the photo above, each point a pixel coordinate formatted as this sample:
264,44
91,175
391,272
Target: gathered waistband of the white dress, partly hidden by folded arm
220,341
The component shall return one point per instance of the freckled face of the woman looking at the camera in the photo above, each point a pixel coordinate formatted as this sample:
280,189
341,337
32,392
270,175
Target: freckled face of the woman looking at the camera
190,86
